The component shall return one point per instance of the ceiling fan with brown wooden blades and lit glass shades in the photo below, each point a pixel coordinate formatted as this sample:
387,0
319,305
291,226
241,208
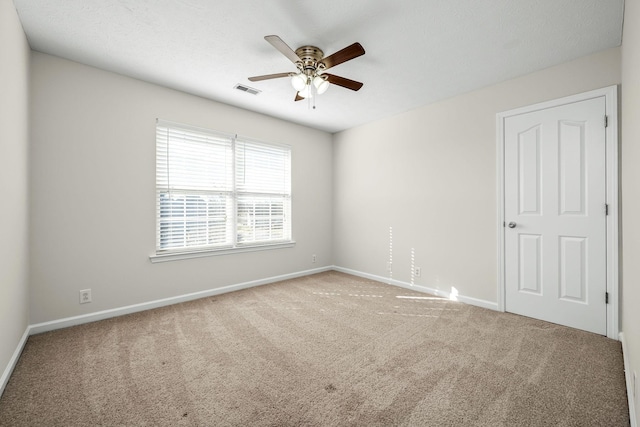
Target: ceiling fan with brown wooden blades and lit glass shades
312,64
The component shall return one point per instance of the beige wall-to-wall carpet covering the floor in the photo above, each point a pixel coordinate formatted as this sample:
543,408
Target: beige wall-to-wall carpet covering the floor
323,350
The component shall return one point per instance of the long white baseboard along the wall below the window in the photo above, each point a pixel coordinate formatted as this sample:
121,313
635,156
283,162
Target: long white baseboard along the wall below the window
114,312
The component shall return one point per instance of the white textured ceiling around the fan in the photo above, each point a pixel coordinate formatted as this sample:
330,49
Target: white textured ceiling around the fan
417,51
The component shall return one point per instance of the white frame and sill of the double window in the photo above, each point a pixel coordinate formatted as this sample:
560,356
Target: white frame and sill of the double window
235,195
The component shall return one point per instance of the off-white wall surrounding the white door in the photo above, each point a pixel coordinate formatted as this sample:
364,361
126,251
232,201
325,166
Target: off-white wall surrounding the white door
430,173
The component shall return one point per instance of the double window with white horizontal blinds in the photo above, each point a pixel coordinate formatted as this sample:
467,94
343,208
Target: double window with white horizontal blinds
219,192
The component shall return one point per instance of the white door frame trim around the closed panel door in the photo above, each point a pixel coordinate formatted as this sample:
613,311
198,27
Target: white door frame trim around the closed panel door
612,162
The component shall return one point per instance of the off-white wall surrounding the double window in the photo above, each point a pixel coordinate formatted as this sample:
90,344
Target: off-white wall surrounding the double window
93,191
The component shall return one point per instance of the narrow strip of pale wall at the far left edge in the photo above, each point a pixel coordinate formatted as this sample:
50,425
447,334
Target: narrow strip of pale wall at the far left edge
14,134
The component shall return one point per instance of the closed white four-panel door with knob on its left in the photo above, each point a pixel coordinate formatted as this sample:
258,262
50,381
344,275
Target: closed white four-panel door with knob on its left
555,218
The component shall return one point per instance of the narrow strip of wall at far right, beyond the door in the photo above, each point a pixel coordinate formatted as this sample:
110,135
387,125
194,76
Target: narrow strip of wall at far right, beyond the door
630,153
